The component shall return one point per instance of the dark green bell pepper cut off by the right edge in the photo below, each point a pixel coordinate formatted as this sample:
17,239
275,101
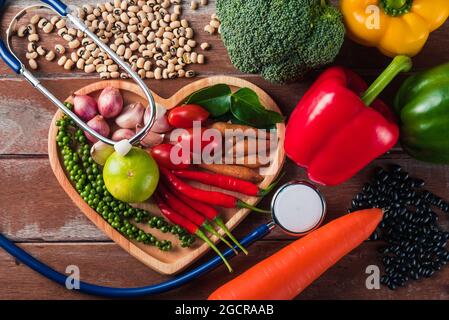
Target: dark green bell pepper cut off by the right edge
422,104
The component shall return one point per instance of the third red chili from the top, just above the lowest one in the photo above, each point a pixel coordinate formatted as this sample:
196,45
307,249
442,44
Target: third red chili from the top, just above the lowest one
189,213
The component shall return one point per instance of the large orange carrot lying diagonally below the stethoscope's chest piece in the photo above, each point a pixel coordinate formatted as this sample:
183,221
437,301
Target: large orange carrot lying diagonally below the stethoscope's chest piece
288,272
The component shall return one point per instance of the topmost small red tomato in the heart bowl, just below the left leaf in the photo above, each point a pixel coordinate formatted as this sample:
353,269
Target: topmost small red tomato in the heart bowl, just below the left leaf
183,116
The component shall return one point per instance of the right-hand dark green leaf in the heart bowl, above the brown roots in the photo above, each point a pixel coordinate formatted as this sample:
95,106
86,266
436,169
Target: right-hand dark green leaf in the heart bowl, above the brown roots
246,107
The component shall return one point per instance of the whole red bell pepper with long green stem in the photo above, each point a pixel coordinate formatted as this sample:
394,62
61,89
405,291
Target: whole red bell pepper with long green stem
333,132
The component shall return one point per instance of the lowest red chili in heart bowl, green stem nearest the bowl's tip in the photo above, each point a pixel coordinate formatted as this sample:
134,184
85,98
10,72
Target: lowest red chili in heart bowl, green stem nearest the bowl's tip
175,218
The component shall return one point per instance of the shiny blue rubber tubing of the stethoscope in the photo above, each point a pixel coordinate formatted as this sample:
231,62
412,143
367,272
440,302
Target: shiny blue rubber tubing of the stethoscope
92,289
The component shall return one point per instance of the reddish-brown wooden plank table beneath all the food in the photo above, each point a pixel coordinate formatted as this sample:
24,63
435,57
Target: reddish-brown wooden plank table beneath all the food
37,214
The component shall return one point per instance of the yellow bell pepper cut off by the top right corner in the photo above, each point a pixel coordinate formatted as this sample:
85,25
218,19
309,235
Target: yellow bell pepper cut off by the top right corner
395,27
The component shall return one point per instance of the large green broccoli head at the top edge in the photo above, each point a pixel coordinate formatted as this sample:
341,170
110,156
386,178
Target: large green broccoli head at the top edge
280,39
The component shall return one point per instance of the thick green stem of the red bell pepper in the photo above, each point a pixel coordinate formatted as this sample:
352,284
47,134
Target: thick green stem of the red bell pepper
398,65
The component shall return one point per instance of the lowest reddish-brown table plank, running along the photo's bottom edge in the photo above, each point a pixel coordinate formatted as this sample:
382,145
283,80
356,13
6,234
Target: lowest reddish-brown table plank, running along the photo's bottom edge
107,264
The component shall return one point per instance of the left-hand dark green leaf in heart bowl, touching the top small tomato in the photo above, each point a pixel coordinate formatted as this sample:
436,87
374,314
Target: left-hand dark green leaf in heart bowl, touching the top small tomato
215,99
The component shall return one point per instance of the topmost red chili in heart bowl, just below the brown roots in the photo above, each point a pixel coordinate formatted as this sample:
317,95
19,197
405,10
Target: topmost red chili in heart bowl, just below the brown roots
224,182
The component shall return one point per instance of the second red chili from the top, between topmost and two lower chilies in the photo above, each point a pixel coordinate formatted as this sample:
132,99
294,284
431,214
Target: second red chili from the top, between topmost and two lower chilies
210,197
